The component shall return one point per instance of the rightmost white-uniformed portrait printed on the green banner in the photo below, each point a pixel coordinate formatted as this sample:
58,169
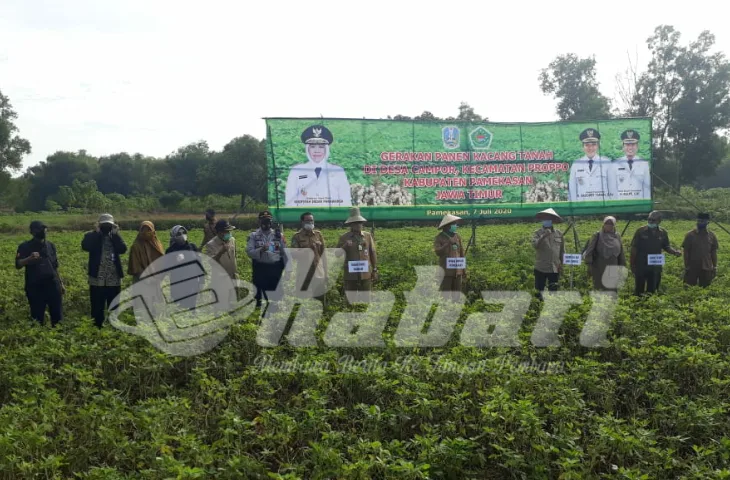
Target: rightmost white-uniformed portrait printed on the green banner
630,176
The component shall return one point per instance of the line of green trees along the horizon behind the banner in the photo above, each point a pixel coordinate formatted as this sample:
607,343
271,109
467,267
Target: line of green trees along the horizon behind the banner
684,88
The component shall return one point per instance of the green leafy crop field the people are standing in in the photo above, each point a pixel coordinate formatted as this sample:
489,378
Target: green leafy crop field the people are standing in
107,405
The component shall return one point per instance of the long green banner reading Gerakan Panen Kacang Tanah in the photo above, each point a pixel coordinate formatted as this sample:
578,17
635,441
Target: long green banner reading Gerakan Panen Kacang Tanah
412,170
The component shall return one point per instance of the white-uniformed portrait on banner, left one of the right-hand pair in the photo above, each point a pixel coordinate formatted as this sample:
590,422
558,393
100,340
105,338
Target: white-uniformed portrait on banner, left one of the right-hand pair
589,174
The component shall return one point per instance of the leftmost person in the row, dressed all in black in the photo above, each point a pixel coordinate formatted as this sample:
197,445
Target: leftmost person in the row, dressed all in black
43,286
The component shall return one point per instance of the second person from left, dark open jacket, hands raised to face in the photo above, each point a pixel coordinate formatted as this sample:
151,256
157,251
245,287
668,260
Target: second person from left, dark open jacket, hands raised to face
105,246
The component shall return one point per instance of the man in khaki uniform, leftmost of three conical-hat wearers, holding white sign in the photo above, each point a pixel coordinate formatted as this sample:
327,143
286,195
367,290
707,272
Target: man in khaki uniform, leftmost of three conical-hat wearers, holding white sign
360,259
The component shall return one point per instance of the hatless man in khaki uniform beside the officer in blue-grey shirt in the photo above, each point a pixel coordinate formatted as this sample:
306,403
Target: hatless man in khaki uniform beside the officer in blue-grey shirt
312,239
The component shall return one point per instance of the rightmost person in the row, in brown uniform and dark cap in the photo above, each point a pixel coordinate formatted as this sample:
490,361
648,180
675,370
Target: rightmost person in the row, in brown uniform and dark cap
700,253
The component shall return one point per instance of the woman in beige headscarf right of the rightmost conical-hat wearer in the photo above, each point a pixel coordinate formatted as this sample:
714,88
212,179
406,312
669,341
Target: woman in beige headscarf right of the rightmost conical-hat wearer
605,249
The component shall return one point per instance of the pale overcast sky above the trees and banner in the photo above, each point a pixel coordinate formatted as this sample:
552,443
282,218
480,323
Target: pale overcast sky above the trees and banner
151,76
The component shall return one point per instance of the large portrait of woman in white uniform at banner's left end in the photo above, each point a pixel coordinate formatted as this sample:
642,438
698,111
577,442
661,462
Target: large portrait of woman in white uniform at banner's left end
317,182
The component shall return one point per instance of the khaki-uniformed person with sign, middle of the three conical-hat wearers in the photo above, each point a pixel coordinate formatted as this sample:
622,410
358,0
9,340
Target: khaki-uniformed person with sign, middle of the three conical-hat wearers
447,244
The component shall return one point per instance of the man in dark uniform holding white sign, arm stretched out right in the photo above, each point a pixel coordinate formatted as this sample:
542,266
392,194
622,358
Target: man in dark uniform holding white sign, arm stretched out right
647,258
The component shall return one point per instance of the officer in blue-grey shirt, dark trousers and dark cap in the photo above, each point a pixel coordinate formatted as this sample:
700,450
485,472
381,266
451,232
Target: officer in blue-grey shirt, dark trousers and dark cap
266,248
